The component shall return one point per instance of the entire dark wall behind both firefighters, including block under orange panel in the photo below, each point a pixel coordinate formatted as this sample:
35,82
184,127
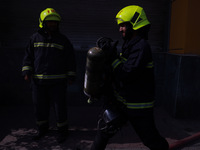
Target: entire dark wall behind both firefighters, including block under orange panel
83,22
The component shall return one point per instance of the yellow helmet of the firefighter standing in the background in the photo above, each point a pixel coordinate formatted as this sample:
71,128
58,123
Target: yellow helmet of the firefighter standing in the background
48,14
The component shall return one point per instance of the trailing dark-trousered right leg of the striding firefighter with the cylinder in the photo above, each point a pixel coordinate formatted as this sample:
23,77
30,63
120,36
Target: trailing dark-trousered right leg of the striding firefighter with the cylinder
146,129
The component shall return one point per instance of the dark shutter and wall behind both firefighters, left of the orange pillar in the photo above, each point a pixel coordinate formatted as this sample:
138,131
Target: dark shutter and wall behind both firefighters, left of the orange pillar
82,21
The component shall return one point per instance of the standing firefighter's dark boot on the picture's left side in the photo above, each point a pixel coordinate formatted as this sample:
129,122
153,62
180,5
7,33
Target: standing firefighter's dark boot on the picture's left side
42,131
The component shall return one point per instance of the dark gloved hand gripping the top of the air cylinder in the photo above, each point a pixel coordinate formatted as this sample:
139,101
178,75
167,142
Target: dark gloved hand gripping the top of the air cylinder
109,47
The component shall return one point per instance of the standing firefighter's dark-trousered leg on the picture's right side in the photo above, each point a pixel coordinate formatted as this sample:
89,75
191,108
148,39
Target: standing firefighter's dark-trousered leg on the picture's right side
58,94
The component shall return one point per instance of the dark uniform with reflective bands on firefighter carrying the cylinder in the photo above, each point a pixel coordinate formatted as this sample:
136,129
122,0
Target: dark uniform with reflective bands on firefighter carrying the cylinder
134,90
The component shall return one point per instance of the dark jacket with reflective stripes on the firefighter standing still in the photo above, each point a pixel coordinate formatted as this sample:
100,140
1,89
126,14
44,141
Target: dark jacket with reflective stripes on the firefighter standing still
49,59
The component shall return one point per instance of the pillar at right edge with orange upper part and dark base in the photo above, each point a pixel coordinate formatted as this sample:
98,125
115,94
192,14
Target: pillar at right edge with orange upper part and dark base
182,82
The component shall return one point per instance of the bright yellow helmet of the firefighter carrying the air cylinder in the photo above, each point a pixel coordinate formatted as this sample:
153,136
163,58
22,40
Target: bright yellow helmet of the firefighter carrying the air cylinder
133,14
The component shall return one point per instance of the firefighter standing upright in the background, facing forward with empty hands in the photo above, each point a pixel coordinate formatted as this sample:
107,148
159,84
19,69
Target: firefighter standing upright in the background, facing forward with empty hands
49,63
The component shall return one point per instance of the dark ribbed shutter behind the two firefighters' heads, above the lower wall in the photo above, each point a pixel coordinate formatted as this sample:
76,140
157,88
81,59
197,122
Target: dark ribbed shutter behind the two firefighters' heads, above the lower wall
82,21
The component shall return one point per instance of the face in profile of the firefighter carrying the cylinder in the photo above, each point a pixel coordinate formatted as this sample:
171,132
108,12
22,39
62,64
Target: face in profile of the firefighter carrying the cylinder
126,30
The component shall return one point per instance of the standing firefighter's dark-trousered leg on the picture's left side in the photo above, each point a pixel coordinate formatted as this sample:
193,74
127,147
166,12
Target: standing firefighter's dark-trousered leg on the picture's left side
41,107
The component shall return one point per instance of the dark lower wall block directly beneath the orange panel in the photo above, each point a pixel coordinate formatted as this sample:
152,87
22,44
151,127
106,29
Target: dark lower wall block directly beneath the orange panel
178,84
